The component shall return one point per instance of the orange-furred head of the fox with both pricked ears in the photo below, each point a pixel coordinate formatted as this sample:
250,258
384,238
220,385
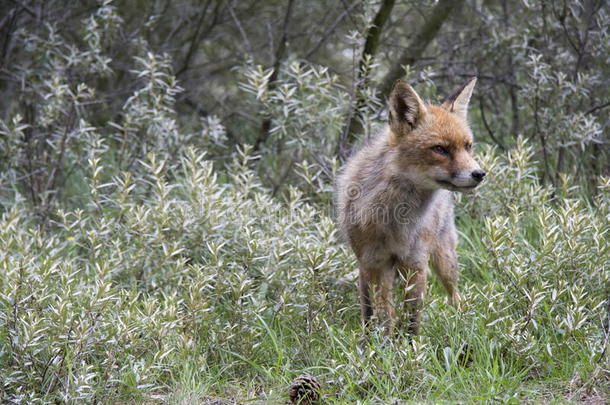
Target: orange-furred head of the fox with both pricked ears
433,145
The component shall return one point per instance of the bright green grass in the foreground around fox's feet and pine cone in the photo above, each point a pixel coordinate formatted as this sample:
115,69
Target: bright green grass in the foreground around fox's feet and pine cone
453,360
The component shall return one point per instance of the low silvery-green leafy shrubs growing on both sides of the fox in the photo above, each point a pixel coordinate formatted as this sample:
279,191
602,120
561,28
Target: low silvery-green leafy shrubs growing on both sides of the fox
108,300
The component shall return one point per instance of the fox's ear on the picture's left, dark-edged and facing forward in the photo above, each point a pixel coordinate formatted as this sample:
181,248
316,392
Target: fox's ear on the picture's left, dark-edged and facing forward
406,108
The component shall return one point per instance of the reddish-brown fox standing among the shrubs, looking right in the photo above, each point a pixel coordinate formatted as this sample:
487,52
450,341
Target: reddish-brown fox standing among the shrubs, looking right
395,203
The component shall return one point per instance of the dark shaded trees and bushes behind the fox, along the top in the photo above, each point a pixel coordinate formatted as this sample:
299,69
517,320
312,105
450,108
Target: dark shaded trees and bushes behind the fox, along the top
542,68
